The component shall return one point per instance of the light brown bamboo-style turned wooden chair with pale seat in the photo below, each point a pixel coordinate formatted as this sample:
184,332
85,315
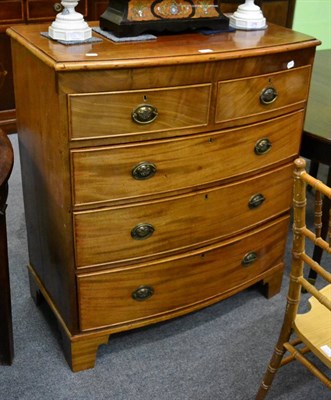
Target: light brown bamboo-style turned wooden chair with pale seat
311,330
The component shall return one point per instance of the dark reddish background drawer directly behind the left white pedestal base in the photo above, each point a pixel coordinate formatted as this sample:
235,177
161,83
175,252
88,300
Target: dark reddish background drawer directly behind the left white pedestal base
48,9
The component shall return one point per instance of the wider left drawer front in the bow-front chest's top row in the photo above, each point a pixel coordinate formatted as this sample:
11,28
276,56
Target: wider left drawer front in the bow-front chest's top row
133,113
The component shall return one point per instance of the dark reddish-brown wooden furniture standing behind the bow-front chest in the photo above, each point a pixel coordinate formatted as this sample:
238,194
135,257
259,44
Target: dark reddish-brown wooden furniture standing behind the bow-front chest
14,12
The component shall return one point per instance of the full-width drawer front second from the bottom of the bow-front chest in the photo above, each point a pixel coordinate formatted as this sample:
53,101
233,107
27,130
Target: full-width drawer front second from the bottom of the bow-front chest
149,229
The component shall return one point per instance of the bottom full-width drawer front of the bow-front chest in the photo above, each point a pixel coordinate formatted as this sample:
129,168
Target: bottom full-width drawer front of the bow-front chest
118,297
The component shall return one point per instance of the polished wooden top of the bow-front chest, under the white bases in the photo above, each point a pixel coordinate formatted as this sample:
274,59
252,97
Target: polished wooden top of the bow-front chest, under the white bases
165,50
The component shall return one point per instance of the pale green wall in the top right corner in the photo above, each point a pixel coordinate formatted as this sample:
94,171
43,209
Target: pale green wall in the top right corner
314,18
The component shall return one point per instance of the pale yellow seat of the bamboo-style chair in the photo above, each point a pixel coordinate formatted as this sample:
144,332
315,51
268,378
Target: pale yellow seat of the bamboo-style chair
314,327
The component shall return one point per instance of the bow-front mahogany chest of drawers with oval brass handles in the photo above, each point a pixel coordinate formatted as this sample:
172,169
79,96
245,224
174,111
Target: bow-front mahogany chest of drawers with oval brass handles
157,175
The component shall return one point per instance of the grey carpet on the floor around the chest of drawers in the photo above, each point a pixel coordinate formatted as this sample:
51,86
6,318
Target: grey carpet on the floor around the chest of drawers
220,352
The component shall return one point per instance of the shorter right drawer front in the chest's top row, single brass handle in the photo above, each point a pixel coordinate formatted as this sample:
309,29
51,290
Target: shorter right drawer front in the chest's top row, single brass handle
260,96
